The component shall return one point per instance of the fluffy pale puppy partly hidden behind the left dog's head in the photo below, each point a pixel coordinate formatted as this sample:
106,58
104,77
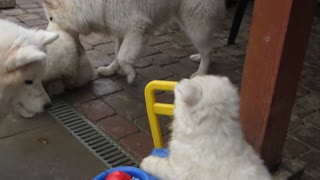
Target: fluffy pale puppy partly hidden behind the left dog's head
68,64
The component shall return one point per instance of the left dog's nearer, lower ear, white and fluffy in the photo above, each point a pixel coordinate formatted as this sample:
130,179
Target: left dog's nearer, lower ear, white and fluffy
23,56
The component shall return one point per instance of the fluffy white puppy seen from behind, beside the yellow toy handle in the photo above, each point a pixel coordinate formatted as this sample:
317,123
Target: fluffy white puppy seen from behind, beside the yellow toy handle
207,142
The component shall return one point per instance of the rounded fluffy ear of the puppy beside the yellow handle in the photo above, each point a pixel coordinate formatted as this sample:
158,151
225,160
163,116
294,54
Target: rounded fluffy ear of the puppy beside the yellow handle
189,92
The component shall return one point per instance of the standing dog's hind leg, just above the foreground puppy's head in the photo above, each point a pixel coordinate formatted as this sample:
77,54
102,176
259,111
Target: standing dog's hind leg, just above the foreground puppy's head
199,19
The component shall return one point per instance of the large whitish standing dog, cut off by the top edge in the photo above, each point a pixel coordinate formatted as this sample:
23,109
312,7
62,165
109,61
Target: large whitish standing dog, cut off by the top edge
132,20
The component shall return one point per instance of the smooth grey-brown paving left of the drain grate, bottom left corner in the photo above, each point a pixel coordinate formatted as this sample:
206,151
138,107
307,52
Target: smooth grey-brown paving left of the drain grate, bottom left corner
41,149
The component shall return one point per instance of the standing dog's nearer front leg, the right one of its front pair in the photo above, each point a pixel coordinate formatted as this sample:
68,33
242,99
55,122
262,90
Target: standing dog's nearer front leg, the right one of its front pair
130,50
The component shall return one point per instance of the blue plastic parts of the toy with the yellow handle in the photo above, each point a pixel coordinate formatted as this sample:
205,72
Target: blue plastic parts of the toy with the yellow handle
136,173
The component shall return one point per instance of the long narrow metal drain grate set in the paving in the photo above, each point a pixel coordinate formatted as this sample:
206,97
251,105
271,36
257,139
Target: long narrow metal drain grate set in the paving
101,145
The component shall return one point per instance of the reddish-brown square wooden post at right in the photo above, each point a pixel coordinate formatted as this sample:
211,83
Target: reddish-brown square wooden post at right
277,45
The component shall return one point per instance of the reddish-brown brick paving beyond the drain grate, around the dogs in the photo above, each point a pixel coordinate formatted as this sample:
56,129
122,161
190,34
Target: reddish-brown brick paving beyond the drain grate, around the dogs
119,109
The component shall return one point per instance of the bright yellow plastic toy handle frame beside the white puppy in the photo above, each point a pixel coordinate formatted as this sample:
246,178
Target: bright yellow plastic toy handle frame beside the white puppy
154,108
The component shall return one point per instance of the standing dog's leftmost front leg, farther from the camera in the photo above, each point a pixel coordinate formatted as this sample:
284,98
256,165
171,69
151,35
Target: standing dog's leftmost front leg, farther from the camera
114,66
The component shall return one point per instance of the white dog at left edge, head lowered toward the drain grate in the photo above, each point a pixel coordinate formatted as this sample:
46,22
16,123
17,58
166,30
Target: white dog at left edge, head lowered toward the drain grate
22,57
